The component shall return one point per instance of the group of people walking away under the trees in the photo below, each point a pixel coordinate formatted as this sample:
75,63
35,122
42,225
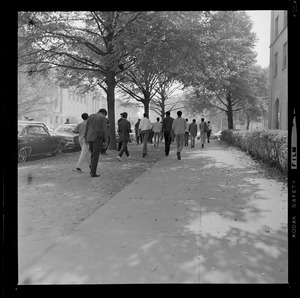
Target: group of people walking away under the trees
94,136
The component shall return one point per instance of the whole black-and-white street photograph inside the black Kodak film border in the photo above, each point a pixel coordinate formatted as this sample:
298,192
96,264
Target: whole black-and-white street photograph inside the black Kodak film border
153,147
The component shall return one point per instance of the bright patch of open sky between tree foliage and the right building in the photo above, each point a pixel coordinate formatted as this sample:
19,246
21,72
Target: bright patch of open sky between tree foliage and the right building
261,27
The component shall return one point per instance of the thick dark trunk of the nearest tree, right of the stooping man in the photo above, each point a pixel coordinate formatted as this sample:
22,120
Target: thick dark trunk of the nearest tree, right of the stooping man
111,84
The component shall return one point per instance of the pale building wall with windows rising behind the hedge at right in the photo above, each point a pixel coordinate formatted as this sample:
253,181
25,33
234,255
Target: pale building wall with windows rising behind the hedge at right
278,95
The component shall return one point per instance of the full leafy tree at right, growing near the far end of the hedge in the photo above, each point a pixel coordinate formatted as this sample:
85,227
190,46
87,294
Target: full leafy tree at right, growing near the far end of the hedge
225,84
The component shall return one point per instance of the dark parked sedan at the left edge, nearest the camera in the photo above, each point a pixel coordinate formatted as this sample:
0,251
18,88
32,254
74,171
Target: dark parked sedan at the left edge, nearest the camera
35,139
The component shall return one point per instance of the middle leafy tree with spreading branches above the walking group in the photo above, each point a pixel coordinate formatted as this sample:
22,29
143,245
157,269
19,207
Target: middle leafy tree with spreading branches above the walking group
168,40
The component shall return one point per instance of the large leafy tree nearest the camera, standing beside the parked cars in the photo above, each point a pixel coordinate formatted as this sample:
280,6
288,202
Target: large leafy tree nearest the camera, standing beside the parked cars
86,48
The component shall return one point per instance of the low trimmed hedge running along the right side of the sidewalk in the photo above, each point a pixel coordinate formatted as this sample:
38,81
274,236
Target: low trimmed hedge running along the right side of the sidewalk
270,146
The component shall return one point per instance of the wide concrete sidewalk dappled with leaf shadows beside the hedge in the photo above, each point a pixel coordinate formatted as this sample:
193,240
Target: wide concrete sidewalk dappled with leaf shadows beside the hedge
207,218
